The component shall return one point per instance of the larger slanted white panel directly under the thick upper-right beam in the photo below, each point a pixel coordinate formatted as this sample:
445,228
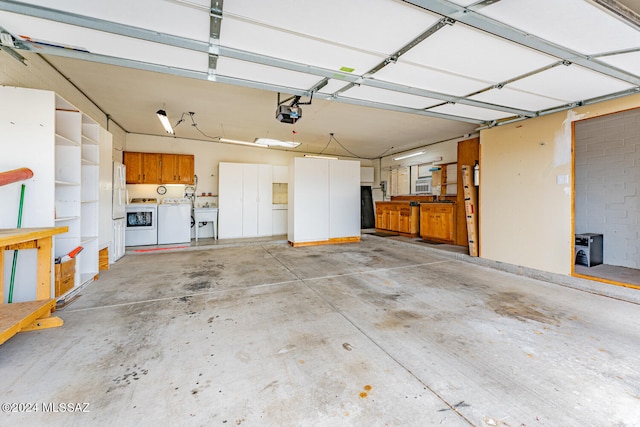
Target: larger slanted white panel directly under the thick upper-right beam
466,51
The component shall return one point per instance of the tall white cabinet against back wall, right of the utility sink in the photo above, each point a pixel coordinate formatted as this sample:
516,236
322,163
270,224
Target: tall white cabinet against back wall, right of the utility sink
245,194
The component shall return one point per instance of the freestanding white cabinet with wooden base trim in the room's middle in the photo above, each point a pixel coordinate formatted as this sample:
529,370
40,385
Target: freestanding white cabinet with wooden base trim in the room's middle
324,201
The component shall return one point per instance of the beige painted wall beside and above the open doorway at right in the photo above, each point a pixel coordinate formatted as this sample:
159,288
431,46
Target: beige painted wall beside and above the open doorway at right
525,214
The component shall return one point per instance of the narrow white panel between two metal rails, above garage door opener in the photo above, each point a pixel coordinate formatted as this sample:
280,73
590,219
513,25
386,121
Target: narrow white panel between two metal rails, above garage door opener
264,74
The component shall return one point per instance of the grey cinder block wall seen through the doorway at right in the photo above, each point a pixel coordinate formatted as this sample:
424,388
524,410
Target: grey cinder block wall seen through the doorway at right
607,183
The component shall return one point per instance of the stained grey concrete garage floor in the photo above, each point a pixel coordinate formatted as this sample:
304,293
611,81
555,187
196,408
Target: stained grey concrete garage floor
368,334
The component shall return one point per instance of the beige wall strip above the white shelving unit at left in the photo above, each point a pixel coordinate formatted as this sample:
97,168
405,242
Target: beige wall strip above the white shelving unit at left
38,74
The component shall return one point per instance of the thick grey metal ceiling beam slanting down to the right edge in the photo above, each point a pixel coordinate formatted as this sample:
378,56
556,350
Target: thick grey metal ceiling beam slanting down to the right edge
484,23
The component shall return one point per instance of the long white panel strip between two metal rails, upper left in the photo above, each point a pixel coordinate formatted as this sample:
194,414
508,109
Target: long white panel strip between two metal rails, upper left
104,43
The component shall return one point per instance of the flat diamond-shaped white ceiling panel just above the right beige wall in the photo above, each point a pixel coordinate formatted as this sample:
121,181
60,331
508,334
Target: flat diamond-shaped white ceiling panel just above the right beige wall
570,83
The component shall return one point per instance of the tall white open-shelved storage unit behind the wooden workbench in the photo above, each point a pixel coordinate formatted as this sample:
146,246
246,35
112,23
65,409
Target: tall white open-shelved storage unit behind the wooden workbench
43,132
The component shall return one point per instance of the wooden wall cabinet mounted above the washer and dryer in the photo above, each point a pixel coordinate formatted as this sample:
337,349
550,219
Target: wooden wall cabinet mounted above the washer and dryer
159,168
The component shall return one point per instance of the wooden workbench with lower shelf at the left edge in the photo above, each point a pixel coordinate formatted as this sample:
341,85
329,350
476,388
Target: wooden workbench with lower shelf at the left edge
30,315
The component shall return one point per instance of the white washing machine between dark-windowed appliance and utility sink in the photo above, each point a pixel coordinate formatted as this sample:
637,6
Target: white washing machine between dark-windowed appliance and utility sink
174,221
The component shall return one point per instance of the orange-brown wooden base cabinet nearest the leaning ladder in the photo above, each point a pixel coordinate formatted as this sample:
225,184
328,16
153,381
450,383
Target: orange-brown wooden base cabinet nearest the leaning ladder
438,222
